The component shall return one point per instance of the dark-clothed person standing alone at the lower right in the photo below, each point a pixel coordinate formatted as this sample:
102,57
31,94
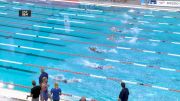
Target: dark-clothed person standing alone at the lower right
123,96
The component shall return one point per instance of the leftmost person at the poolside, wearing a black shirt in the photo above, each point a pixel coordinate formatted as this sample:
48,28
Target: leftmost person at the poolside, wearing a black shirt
35,92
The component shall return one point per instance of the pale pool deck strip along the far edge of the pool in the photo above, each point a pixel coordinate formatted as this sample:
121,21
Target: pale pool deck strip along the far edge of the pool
120,4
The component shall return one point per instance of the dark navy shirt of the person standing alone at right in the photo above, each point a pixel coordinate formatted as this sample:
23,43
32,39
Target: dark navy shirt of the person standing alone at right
124,94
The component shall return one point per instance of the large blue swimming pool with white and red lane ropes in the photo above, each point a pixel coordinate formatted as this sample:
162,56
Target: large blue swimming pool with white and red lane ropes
145,54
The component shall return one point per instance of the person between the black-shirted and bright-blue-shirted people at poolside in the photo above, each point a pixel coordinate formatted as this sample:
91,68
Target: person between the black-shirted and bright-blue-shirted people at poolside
44,89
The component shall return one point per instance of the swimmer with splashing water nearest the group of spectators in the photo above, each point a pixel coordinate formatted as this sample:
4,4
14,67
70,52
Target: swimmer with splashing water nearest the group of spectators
61,78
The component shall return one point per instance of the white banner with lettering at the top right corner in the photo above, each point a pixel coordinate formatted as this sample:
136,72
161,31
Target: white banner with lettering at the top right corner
173,3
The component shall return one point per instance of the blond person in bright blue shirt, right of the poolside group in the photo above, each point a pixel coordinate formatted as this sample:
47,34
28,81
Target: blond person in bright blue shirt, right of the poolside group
55,92
